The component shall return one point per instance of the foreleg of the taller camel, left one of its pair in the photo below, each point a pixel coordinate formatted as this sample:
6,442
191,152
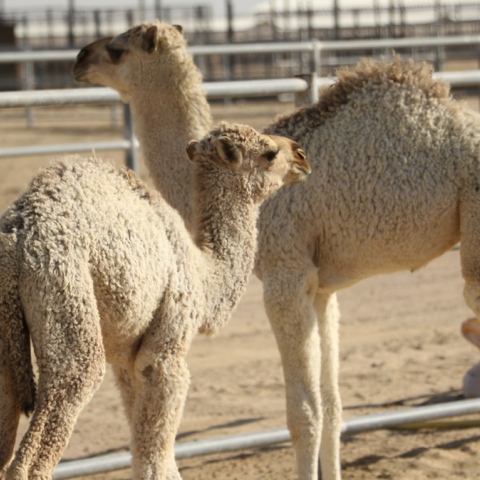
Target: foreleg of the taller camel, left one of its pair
289,301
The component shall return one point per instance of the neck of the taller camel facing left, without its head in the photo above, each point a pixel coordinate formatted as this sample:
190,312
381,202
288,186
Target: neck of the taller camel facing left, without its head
166,118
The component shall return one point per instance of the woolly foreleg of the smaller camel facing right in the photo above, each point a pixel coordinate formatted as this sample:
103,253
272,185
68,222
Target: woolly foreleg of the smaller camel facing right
161,385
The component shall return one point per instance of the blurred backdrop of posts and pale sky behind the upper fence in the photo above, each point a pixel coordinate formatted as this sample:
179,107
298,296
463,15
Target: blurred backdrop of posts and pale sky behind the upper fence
70,24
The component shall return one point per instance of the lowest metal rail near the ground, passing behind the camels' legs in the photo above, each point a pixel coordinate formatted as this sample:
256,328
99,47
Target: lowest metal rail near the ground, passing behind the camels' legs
91,466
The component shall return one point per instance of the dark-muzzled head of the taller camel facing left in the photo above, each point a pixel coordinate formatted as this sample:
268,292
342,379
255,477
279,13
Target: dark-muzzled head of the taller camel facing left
139,57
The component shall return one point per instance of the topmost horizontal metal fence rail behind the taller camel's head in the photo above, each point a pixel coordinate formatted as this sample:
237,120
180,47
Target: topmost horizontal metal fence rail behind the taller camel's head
270,47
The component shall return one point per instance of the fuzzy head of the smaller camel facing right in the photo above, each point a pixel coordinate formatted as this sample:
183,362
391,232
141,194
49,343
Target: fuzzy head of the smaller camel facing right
257,164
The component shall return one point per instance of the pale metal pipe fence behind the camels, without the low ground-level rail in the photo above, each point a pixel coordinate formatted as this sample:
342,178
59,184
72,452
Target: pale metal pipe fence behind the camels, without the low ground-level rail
304,88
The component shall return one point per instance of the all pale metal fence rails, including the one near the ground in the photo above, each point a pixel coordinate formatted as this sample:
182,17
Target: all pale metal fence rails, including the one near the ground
305,88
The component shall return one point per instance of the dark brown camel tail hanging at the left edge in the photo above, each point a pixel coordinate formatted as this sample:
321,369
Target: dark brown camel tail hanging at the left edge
16,371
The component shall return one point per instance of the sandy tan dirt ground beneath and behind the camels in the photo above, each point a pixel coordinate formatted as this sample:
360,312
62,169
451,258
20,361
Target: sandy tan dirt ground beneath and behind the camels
400,347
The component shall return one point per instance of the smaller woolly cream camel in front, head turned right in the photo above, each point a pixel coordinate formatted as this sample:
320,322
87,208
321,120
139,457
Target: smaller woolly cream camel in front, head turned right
98,267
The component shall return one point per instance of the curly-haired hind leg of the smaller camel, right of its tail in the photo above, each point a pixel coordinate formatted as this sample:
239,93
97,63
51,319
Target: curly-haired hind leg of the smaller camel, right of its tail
65,328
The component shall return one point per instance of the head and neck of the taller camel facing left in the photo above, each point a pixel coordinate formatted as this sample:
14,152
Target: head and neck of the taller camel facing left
159,69
